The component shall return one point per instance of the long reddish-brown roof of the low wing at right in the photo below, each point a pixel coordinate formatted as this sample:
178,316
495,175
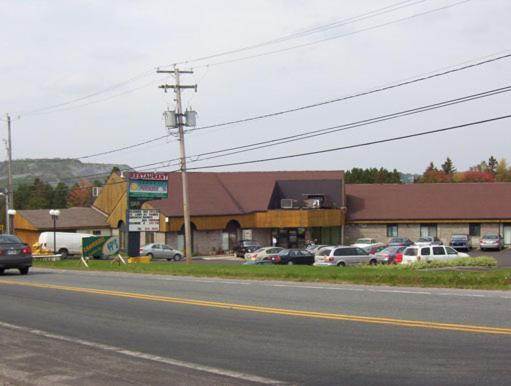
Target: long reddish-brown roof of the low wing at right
454,201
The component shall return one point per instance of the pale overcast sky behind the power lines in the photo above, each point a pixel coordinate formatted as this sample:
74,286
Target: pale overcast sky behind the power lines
59,53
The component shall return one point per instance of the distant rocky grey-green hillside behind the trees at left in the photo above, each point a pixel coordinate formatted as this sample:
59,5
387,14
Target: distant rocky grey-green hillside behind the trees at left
55,170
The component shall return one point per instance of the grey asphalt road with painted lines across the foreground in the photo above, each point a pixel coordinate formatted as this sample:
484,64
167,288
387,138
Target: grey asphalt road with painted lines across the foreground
66,327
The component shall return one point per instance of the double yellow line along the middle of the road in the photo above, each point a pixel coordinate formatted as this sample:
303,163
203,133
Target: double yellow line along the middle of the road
275,311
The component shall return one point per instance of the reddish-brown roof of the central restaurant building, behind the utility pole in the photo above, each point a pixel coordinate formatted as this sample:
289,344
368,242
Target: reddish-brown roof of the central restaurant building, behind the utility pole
231,193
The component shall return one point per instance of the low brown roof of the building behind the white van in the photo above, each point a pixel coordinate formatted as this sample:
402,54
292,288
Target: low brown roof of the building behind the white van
71,218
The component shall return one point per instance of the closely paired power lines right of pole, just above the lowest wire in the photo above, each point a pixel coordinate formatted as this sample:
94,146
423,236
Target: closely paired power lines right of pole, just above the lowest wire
347,126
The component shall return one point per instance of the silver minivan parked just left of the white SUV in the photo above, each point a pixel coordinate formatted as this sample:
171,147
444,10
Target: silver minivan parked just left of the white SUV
342,256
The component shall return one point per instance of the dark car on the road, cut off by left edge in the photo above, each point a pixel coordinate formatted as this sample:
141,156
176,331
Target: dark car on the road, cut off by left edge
14,254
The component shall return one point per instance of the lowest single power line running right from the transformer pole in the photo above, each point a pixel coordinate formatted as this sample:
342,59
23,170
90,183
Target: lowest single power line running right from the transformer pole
423,133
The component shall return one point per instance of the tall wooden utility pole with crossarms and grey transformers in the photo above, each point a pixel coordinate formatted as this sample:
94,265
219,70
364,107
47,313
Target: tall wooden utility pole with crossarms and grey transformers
179,123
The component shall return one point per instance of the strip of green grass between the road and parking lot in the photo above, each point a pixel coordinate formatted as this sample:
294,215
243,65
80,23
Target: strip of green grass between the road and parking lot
499,279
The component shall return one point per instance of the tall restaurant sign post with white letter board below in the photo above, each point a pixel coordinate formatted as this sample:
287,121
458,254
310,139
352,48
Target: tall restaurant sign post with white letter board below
143,187
